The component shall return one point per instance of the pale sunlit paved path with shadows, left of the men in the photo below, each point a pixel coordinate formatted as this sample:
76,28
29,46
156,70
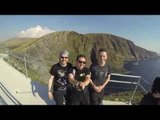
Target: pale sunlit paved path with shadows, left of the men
17,89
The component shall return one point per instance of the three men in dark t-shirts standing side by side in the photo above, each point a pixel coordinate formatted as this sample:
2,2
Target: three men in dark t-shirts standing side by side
79,85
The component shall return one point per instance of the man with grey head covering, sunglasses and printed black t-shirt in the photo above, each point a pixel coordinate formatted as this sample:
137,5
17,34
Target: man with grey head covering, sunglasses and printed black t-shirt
59,80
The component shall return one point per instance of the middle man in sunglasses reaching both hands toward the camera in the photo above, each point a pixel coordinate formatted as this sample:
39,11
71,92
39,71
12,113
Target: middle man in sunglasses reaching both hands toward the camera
79,77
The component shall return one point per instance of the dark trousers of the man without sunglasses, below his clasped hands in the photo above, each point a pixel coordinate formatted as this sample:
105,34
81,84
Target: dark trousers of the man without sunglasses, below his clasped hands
96,98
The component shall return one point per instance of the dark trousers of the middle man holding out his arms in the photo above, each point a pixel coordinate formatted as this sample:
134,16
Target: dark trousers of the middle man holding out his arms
80,98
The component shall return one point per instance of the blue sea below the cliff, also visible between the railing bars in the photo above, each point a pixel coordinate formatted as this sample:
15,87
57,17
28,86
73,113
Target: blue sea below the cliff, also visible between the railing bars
148,69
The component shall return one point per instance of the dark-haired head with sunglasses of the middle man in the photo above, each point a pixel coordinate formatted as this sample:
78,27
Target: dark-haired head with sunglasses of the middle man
81,62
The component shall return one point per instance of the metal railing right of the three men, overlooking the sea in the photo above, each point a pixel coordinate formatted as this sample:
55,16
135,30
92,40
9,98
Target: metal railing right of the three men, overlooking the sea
132,84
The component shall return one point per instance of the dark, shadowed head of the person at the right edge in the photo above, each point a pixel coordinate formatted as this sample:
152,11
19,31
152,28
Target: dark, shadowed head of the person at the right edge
156,85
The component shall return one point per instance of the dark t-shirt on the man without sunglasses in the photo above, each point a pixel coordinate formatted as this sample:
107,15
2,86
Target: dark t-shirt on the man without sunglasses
99,73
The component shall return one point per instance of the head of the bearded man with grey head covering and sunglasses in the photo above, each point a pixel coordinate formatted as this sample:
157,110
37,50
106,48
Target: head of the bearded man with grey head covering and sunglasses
63,57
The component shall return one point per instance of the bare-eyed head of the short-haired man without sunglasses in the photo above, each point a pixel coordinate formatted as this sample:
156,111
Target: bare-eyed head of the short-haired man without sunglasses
102,56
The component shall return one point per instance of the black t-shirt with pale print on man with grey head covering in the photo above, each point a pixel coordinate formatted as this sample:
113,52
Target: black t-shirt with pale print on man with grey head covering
60,76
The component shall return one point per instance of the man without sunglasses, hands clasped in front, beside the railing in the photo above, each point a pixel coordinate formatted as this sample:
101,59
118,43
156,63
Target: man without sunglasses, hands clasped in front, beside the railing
100,76
